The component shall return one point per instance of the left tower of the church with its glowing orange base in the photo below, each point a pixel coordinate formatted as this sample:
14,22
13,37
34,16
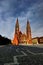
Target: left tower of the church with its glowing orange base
16,35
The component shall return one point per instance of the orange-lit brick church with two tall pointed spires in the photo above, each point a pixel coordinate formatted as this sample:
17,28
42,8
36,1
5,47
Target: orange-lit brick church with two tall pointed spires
21,38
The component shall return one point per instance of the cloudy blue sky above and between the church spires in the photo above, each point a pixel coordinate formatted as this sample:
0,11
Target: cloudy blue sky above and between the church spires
24,10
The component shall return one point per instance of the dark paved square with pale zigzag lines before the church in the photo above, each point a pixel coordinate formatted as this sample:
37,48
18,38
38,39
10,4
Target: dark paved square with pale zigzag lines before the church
21,55
